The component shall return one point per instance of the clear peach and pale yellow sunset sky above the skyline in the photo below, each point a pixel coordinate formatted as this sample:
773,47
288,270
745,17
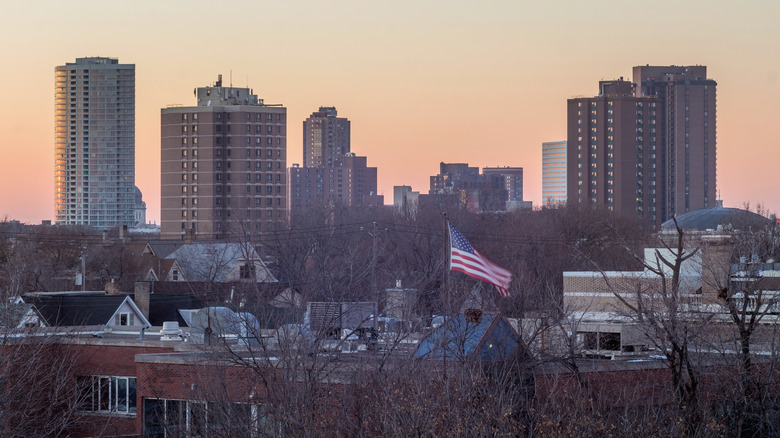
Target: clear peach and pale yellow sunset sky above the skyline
422,82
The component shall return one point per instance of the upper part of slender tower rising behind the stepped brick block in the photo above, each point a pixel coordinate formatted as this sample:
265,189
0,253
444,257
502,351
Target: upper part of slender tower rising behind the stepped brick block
326,138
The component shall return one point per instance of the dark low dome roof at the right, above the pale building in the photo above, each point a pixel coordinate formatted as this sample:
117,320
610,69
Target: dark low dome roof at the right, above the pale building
710,218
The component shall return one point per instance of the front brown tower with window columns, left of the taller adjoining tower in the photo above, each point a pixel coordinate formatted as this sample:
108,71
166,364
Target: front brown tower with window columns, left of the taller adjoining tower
612,151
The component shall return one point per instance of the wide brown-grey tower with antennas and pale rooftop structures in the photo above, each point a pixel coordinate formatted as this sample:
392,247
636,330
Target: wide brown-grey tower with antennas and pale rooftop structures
223,166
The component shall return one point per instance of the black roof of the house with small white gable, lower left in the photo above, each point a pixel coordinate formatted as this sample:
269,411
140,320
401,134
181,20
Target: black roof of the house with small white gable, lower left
78,309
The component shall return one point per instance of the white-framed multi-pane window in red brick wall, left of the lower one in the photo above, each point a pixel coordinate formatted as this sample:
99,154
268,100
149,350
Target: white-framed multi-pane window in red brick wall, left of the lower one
106,394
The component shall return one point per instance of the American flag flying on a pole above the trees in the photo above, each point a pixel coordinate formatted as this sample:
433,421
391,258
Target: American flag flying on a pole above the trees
466,259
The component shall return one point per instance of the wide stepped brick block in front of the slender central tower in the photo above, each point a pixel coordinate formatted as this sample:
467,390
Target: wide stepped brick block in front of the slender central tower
348,182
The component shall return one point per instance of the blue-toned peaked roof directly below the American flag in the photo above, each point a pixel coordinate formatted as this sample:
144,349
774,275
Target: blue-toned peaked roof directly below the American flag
491,338
